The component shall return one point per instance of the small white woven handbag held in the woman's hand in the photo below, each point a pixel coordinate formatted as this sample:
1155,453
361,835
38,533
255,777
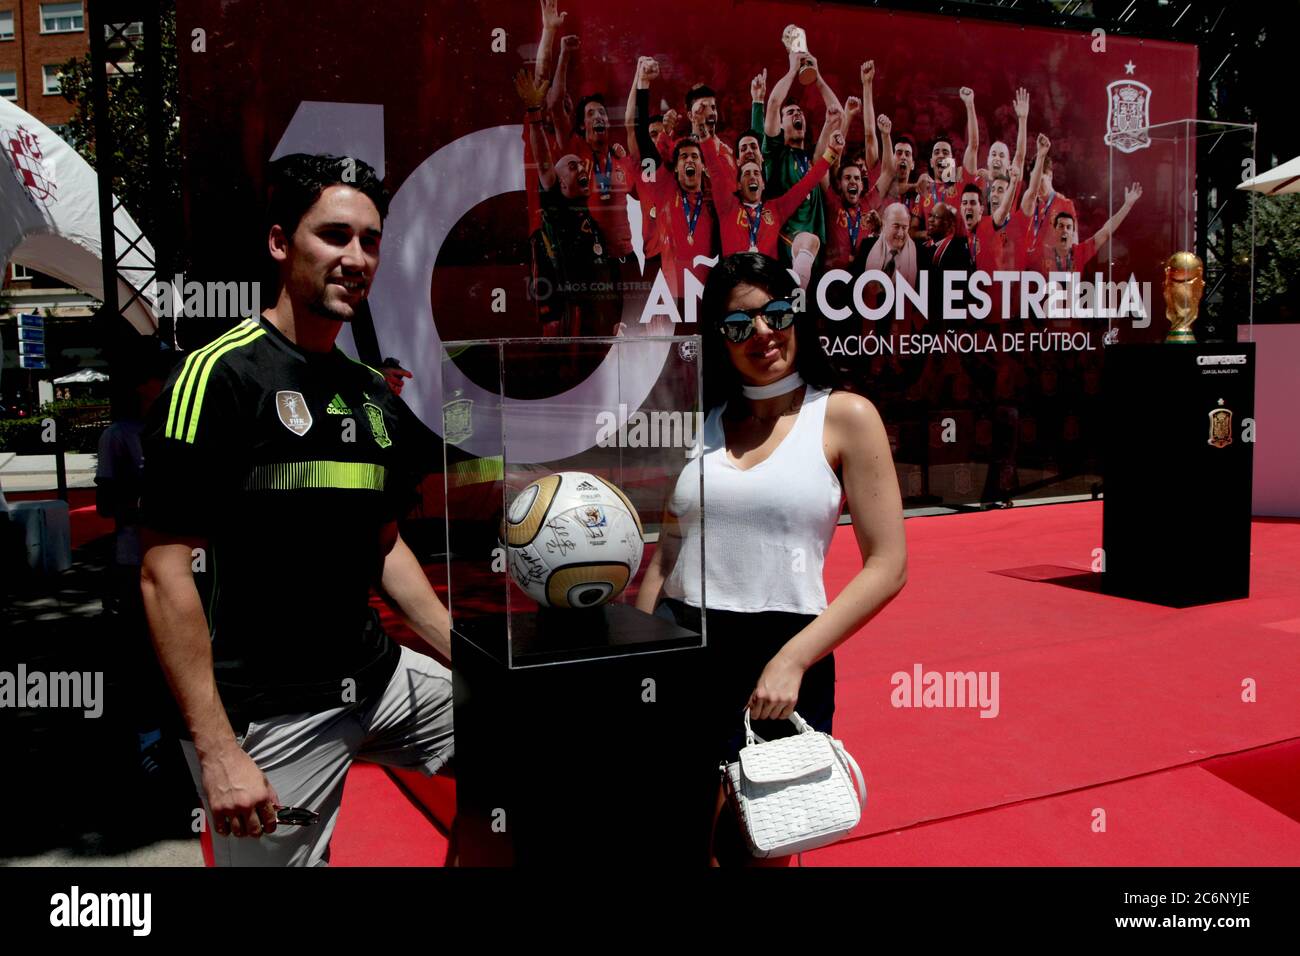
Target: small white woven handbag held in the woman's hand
796,793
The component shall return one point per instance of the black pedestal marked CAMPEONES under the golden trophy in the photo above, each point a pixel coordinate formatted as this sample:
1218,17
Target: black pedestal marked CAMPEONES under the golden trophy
1177,514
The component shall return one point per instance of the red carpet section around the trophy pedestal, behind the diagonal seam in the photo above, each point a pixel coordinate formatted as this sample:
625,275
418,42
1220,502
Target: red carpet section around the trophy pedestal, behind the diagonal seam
1093,689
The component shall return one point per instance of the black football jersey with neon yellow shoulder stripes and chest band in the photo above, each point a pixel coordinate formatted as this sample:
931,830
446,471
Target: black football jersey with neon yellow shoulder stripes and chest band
288,464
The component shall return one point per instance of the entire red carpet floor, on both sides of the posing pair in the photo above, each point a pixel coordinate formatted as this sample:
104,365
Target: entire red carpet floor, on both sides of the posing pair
1103,704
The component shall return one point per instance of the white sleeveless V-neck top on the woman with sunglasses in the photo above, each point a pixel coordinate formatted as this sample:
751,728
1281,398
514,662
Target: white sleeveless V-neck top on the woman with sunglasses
768,527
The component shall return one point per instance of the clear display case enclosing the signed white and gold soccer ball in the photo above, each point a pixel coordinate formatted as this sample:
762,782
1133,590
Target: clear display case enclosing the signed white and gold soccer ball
562,460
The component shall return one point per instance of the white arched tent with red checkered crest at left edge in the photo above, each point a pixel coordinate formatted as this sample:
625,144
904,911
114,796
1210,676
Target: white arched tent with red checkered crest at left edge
50,217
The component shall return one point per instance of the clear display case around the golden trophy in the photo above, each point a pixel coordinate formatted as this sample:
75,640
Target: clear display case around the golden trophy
1189,172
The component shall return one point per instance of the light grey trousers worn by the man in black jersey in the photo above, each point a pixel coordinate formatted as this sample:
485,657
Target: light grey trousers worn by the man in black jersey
307,756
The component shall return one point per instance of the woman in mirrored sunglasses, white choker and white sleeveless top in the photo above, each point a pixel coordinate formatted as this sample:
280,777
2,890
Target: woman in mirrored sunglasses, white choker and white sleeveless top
782,451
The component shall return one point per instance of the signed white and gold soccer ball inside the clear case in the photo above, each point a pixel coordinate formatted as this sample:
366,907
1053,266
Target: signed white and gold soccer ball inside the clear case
574,540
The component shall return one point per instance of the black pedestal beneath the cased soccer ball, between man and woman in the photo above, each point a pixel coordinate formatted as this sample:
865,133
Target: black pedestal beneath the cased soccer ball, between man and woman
579,763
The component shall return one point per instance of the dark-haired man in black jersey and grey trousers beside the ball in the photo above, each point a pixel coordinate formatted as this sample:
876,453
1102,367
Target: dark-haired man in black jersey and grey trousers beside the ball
276,471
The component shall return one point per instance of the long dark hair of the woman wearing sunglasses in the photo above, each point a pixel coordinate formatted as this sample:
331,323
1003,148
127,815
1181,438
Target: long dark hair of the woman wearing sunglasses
722,380
